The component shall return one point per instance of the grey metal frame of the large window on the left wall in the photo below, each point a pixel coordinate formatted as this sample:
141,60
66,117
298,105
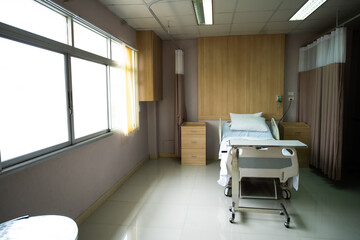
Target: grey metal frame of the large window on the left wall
68,50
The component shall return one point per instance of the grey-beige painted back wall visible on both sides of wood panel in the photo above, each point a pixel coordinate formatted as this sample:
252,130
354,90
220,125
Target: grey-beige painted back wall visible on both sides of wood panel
166,106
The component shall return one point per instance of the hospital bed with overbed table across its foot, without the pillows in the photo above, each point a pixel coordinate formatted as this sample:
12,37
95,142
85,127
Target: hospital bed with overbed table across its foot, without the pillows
247,154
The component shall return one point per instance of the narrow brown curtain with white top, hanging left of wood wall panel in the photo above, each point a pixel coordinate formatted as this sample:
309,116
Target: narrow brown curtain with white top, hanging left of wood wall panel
180,111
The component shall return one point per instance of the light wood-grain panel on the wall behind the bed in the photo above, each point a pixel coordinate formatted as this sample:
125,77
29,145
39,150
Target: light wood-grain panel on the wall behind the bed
240,74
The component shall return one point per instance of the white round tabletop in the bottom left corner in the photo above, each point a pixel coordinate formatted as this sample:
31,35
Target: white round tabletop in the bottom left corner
49,227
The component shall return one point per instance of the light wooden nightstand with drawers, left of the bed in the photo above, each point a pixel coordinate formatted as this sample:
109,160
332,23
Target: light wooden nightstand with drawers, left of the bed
193,143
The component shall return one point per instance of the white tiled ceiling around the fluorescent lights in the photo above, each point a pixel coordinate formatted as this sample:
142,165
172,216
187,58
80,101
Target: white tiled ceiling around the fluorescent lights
231,17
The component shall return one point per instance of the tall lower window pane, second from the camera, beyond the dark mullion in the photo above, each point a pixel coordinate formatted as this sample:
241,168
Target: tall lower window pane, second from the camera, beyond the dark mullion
89,97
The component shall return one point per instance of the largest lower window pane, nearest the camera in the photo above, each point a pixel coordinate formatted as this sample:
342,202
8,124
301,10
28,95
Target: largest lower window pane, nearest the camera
32,99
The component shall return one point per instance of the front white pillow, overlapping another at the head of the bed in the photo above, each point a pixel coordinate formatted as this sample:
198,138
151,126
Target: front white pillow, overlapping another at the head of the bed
248,123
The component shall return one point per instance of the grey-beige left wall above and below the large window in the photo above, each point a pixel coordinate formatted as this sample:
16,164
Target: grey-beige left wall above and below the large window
70,183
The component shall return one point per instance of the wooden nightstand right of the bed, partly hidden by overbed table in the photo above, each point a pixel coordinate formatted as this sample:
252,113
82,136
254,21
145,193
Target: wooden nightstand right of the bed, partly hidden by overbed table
297,131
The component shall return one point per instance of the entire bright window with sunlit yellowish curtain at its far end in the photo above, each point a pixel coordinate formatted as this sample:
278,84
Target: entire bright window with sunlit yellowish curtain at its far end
53,96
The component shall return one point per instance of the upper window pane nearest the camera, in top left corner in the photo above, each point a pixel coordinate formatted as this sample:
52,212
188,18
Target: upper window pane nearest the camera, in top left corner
34,17
